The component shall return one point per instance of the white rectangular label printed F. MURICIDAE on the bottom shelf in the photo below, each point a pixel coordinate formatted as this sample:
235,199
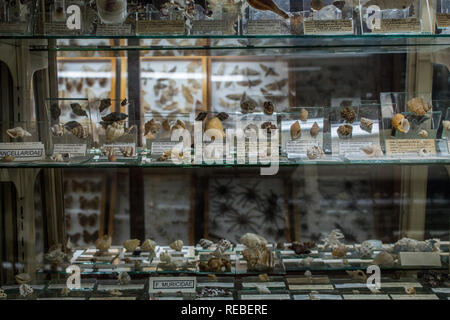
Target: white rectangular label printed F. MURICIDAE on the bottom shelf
173,284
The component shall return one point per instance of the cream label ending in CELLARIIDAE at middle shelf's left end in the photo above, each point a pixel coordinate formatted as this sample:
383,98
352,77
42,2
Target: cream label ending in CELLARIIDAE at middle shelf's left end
26,151
